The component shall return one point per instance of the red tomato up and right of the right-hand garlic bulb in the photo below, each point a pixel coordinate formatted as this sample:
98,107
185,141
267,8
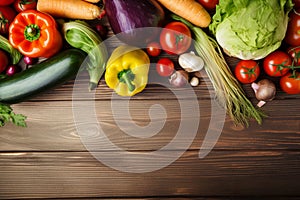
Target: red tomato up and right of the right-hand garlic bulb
275,63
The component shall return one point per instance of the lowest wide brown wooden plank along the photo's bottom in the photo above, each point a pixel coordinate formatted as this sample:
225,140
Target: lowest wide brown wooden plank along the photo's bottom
222,173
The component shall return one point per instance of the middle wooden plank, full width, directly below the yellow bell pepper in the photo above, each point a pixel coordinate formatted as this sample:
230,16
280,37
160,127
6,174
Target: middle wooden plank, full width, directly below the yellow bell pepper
51,127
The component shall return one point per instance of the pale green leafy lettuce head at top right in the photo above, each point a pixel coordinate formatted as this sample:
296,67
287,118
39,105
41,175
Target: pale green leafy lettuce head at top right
250,29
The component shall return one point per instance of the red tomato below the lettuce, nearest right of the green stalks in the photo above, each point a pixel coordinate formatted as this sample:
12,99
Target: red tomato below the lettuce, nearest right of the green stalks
247,71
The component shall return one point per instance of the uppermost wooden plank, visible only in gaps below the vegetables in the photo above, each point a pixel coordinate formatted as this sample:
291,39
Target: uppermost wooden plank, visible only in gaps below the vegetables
158,88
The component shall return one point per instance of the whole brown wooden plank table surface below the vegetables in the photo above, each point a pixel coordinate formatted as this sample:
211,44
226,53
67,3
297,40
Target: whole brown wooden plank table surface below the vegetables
48,159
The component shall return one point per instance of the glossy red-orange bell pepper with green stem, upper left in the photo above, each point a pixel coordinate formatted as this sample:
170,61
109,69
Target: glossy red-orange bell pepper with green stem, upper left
35,34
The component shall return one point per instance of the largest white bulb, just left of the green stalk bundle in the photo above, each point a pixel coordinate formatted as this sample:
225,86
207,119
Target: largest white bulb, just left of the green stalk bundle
190,62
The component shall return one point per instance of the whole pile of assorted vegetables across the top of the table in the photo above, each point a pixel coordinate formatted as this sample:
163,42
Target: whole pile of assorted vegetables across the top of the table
53,38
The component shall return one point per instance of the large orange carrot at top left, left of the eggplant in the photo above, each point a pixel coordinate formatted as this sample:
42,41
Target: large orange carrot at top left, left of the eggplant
73,9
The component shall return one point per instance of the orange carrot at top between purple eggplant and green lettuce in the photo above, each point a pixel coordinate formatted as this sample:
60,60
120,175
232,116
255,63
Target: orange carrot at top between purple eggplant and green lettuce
189,10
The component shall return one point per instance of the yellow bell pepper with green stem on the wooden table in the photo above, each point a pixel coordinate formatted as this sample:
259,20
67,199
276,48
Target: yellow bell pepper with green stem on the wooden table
127,70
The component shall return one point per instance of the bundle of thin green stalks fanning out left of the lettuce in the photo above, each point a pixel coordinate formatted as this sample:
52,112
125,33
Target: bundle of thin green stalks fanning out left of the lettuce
229,93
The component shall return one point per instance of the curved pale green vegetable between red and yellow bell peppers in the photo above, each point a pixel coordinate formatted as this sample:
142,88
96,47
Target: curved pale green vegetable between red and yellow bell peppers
80,35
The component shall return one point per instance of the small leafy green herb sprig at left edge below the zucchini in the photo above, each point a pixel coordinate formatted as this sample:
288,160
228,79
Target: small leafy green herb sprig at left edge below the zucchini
7,115
